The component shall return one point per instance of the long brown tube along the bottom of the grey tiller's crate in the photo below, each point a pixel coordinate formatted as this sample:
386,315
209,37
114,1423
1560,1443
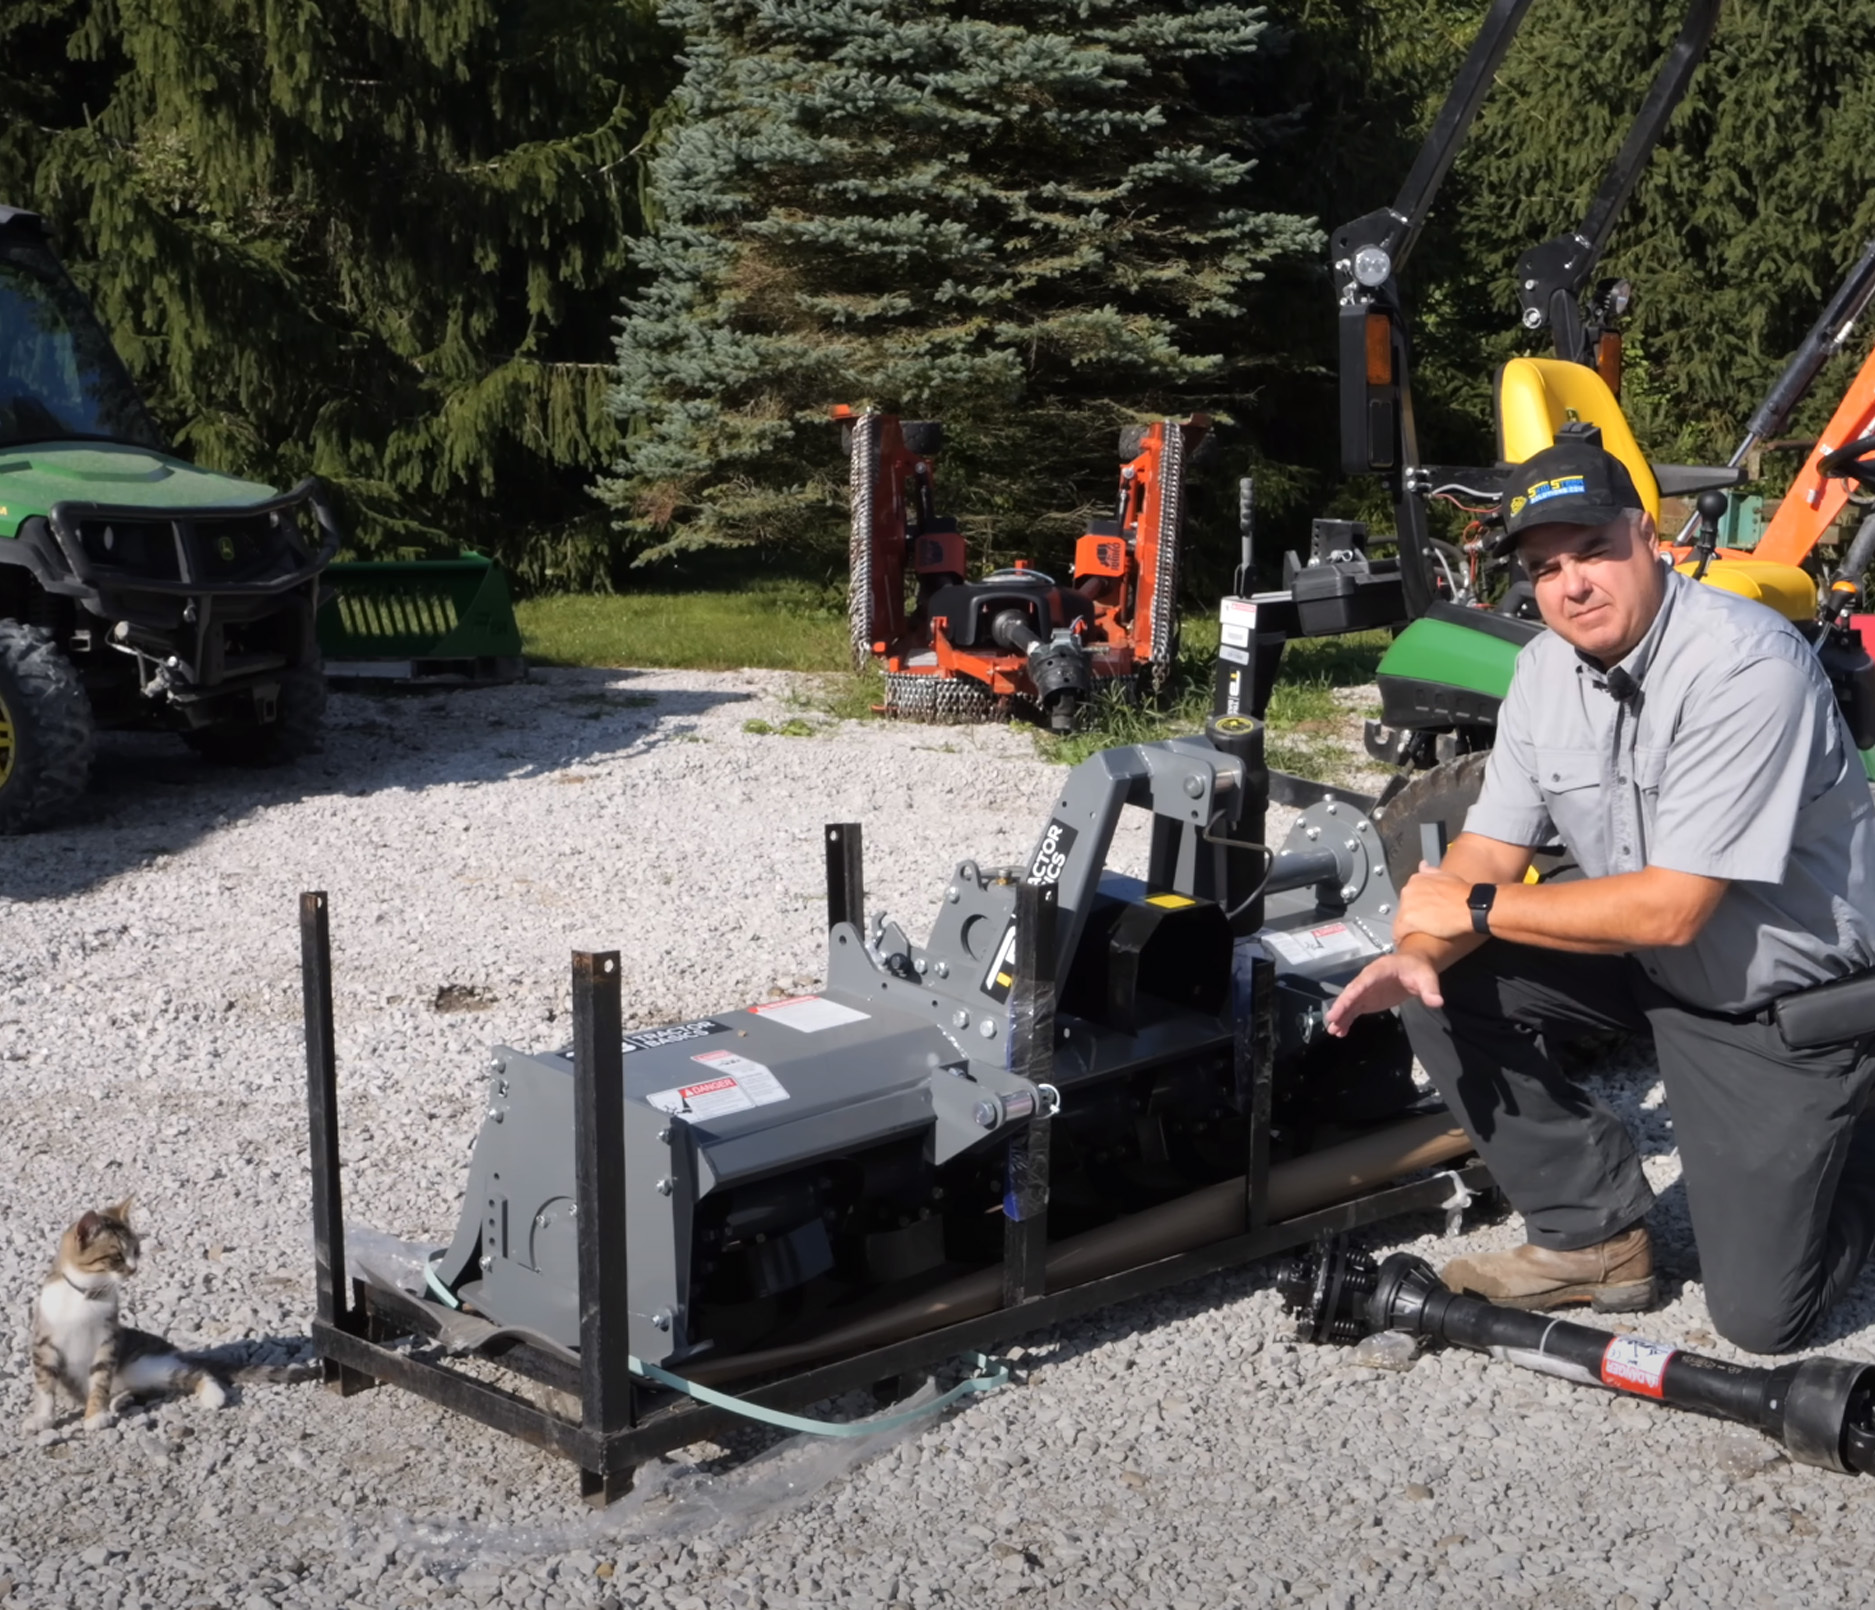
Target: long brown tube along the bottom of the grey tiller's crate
1208,1215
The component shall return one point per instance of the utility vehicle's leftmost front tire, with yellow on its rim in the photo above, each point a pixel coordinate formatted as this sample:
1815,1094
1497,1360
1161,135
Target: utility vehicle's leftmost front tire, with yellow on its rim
46,730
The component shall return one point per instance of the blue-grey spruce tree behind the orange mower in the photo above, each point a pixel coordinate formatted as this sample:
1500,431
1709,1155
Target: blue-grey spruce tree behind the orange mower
1034,220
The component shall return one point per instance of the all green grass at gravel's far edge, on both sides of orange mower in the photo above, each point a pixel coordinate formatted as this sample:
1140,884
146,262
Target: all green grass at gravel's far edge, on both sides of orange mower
794,625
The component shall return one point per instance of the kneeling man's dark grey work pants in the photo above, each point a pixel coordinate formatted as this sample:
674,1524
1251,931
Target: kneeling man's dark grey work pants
1780,1178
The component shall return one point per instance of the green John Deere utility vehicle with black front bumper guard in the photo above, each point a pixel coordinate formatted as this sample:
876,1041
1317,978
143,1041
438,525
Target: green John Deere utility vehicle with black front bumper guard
136,589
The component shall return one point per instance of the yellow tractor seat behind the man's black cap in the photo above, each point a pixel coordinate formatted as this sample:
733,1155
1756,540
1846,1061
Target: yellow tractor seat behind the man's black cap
1540,396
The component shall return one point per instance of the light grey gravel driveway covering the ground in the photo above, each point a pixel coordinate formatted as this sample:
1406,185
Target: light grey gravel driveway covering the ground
1177,1452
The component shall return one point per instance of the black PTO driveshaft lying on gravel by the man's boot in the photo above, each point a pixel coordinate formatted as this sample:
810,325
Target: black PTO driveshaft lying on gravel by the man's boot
1822,1410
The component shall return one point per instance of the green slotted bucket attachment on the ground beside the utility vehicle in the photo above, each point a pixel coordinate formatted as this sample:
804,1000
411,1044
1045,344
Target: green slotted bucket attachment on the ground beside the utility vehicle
421,621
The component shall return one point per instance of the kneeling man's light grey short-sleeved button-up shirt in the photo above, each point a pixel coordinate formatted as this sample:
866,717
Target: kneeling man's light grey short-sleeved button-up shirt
1726,756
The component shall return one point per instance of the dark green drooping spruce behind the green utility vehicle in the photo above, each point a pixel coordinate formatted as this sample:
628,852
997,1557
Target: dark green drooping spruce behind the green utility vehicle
363,239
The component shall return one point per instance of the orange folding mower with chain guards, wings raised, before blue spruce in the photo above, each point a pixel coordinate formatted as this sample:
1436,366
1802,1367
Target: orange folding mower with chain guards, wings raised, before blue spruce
1017,642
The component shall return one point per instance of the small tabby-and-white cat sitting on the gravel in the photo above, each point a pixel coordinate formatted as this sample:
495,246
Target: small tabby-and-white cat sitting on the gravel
80,1347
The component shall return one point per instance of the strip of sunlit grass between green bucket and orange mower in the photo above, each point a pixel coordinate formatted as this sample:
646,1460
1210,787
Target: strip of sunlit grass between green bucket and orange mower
768,625
